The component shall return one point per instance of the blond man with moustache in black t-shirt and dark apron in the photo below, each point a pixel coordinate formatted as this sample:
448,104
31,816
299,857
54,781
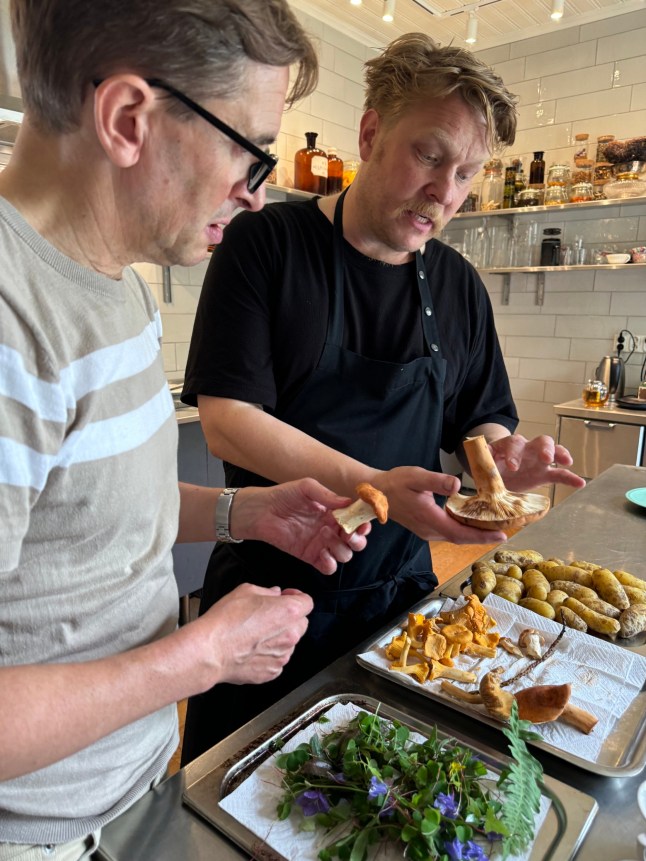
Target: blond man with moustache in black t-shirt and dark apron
374,348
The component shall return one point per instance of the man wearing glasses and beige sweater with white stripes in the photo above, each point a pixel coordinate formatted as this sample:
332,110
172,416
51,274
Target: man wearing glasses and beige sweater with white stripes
112,165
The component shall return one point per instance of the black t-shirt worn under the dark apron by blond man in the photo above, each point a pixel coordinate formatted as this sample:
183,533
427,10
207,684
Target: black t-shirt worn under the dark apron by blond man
262,317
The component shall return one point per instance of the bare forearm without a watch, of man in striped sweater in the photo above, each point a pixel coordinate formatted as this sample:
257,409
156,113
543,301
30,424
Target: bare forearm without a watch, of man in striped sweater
48,712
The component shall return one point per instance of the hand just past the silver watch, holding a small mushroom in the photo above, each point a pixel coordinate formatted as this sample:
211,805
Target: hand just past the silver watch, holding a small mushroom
296,517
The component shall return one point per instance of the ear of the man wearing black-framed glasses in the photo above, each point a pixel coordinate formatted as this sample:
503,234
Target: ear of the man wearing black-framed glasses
122,107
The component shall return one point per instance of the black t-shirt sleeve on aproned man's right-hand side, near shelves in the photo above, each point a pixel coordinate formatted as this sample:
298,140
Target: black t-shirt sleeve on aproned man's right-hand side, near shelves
481,393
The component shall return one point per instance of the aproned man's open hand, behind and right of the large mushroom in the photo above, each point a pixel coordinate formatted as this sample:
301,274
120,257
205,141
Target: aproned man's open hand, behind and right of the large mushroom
525,465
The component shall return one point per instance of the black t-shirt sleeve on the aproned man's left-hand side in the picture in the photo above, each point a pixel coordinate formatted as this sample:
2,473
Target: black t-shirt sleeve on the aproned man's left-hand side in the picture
230,354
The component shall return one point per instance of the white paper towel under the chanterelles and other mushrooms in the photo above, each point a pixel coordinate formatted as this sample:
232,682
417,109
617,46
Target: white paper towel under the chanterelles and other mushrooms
605,678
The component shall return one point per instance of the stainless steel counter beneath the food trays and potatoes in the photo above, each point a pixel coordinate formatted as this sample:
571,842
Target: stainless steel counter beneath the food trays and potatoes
596,523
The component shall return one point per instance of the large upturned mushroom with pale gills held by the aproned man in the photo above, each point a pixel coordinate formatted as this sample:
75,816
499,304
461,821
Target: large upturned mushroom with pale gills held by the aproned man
493,506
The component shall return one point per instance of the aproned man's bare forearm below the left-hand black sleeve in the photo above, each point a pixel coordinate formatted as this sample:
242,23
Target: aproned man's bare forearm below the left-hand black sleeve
247,436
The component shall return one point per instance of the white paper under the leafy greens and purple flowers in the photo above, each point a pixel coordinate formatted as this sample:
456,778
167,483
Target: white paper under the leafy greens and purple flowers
254,802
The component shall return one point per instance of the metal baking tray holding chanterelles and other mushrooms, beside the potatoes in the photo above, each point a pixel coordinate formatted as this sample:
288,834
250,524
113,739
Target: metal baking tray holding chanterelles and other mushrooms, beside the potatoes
622,754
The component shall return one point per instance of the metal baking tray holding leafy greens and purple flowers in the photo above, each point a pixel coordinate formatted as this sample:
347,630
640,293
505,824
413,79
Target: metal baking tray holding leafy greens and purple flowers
568,819
